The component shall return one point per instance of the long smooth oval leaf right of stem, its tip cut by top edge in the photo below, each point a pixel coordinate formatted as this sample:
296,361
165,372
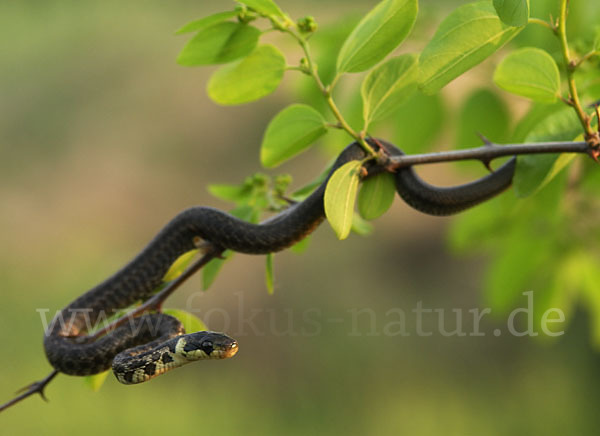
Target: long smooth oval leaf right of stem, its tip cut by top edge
377,35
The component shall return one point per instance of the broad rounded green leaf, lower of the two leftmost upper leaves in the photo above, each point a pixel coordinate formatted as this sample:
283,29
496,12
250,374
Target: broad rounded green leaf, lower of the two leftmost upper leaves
249,79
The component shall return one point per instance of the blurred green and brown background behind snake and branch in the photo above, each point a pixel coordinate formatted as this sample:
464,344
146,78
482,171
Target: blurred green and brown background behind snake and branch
104,138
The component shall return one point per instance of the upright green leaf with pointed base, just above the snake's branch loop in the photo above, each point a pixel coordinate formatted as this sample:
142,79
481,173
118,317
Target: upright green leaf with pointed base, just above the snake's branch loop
388,86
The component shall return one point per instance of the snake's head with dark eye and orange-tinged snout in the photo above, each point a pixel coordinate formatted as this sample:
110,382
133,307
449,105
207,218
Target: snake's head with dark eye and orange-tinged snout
206,345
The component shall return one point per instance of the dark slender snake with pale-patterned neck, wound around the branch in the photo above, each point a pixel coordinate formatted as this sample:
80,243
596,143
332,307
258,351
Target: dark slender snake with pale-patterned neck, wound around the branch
155,343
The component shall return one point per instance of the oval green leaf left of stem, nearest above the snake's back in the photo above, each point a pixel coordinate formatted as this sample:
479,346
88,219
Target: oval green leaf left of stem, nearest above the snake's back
291,131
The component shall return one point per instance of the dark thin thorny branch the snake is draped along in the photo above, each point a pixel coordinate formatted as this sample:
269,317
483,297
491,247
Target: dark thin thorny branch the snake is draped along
485,154
